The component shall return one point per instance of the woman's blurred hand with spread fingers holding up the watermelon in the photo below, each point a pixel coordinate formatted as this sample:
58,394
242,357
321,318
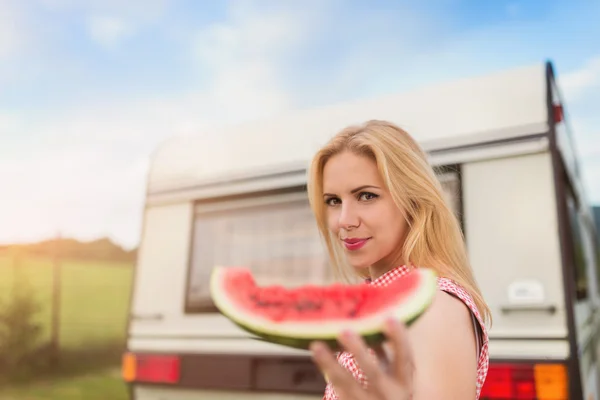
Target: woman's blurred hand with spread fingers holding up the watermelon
392,383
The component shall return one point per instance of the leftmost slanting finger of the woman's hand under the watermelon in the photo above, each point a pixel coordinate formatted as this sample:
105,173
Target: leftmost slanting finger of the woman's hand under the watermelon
344,383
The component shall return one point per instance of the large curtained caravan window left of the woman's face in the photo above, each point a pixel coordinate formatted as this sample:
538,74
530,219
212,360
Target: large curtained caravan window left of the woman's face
275,236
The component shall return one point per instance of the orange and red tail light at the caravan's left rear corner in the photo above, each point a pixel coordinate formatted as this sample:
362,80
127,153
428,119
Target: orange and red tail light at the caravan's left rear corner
152,368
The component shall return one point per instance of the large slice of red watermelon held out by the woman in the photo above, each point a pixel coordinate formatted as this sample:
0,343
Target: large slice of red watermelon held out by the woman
295,317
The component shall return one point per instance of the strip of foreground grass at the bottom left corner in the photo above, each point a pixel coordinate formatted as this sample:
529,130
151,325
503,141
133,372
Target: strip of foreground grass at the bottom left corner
105,385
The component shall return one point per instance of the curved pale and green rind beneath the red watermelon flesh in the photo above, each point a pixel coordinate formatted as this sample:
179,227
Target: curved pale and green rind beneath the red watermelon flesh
299,335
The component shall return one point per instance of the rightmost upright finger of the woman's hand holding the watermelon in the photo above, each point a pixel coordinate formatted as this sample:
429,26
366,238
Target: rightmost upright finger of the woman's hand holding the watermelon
403,363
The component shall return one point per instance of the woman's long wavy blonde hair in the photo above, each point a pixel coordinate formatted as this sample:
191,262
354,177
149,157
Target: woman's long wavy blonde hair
435,239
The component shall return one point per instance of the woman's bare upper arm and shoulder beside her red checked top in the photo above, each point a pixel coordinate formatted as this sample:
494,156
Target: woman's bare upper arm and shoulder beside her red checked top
445,352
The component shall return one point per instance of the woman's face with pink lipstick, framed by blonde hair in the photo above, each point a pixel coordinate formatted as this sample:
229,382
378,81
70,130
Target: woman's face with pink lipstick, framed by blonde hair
361,213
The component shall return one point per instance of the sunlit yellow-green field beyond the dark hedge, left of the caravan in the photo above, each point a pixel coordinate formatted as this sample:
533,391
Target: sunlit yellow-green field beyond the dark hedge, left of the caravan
94,297
